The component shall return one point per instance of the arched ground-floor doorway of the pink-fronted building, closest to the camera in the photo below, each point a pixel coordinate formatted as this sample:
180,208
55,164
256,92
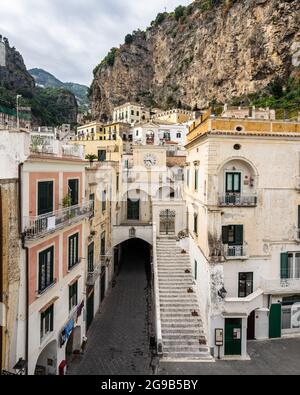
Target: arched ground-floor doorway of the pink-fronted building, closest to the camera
47,361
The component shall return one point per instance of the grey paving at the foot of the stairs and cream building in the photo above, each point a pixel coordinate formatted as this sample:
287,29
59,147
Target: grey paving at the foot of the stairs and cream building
273,357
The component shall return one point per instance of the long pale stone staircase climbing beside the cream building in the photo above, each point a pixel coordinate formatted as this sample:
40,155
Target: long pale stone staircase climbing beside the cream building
183,334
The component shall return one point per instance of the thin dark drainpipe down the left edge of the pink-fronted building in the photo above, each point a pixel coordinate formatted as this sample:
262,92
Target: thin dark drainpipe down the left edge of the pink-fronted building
20,169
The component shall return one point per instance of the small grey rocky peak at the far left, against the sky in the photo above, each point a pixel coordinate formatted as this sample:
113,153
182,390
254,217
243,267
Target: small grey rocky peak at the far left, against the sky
13,73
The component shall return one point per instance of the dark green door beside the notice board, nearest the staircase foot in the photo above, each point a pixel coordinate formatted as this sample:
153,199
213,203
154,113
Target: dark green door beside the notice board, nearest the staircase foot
233,336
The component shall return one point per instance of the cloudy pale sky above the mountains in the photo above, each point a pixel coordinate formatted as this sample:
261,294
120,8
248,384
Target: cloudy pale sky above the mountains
68,38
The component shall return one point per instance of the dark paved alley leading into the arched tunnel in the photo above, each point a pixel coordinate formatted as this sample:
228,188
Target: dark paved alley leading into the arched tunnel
118,341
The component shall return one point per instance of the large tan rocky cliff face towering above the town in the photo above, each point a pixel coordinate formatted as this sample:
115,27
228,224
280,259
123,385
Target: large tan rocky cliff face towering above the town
216,50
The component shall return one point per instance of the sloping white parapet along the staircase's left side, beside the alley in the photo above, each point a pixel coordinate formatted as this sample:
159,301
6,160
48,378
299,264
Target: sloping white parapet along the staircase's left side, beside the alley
159,343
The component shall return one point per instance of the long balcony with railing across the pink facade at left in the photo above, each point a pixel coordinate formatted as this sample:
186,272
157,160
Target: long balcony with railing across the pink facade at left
41,226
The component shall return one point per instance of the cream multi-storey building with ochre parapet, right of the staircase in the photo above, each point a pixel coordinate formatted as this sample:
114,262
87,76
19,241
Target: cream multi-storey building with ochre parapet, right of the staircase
242,191
